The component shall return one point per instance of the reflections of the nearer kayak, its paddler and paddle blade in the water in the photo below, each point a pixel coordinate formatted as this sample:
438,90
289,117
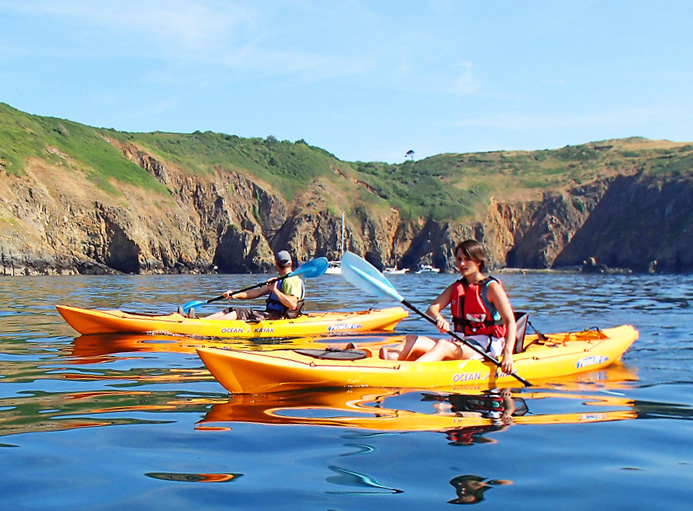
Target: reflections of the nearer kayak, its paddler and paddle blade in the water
464,418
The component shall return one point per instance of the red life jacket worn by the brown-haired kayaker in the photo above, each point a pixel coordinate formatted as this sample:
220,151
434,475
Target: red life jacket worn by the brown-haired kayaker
472,312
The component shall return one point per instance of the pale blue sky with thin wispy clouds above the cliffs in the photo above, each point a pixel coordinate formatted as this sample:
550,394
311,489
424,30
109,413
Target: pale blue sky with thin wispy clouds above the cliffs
364,80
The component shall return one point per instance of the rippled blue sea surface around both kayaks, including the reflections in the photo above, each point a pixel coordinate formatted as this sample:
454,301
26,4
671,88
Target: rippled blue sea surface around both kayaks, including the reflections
99,422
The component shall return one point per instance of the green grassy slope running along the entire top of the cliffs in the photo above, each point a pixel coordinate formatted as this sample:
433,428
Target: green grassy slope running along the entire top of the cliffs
444,187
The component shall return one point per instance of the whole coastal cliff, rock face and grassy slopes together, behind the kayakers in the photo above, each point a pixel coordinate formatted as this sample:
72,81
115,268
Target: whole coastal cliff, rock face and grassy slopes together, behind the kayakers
58,215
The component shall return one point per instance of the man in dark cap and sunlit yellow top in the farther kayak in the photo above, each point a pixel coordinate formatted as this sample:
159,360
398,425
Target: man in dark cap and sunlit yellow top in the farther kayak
284,300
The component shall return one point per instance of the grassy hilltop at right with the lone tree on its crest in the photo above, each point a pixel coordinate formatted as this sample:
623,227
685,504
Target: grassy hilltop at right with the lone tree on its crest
454,186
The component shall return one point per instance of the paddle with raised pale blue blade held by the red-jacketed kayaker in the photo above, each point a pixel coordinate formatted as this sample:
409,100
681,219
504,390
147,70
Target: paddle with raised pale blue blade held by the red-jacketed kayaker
366,277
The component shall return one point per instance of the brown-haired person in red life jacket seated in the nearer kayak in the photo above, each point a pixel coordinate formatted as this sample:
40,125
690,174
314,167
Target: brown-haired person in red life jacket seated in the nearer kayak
481,312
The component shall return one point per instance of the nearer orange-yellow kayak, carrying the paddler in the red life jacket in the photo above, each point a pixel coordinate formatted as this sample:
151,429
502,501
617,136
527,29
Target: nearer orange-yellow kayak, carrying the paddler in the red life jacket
561,354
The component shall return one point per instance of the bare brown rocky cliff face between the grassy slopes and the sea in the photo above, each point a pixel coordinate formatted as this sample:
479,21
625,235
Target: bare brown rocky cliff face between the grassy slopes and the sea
229,222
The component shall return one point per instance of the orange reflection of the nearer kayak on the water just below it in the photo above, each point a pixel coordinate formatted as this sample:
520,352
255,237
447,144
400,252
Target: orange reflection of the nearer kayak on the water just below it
463,417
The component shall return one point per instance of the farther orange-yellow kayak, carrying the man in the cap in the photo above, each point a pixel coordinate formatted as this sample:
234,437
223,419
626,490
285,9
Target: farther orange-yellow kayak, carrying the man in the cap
87,321
